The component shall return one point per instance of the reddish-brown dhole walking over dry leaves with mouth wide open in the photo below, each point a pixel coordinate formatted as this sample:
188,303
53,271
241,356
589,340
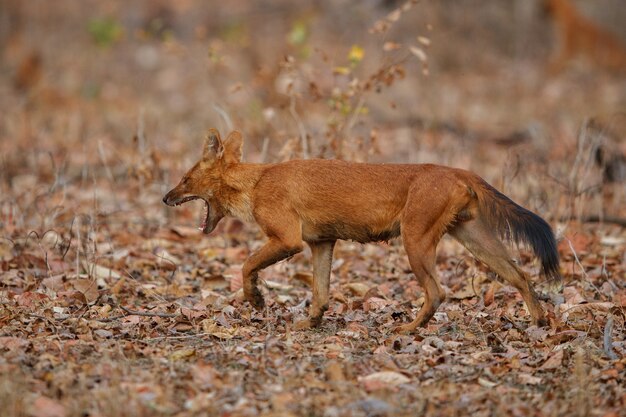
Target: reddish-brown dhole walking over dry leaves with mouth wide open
320,201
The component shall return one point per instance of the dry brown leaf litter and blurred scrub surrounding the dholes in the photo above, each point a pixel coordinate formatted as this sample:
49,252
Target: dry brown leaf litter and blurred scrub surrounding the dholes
112,304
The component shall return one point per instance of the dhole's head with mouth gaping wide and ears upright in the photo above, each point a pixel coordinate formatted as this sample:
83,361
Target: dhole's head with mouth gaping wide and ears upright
204,180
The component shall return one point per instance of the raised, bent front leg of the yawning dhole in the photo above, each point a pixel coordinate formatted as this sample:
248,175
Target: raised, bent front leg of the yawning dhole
273,251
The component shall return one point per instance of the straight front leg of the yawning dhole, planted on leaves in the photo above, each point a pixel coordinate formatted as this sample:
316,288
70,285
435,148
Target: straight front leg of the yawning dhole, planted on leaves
322,260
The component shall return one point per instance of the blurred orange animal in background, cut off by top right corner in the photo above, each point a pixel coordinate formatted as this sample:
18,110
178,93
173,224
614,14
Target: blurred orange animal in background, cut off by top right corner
579,36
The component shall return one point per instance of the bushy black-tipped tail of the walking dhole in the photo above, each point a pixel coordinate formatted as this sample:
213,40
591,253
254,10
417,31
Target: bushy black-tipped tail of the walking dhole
517,224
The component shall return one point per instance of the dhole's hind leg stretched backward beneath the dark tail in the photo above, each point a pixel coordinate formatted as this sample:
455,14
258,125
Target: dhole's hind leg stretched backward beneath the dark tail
487,247
